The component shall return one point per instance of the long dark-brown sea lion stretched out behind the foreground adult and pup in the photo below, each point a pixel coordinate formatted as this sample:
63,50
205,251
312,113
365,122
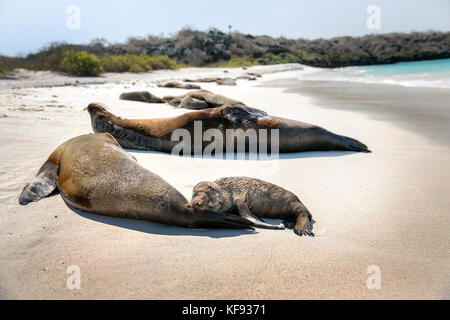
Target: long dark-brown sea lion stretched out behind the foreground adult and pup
156,134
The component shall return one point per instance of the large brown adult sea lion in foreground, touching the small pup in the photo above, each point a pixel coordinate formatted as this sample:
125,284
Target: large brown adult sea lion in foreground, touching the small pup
94,174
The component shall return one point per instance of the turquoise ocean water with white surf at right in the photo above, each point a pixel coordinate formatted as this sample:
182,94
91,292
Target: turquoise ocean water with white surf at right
430,73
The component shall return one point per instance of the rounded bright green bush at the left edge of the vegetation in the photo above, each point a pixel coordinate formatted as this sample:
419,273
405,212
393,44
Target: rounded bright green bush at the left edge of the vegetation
80,63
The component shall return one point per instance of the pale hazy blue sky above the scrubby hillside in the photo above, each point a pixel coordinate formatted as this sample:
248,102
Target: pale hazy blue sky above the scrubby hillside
26,25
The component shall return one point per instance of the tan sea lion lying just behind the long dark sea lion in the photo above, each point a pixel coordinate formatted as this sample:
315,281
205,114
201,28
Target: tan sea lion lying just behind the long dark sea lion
197,100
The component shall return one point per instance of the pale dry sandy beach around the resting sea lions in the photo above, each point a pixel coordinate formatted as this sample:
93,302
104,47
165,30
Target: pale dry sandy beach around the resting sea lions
389,208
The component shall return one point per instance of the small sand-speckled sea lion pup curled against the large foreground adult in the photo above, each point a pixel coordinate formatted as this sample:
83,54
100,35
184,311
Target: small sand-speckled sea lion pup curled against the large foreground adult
253,198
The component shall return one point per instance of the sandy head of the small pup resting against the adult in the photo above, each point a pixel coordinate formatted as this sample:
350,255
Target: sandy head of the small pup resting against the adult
207,196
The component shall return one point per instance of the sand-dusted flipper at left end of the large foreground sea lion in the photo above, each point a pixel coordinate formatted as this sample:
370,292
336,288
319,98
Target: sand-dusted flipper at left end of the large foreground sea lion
42,185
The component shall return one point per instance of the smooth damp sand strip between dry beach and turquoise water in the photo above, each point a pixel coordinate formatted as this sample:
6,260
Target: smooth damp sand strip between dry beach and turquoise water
422,110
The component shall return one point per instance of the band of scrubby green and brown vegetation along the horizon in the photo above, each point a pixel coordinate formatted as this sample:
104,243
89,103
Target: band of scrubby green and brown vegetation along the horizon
191,47
